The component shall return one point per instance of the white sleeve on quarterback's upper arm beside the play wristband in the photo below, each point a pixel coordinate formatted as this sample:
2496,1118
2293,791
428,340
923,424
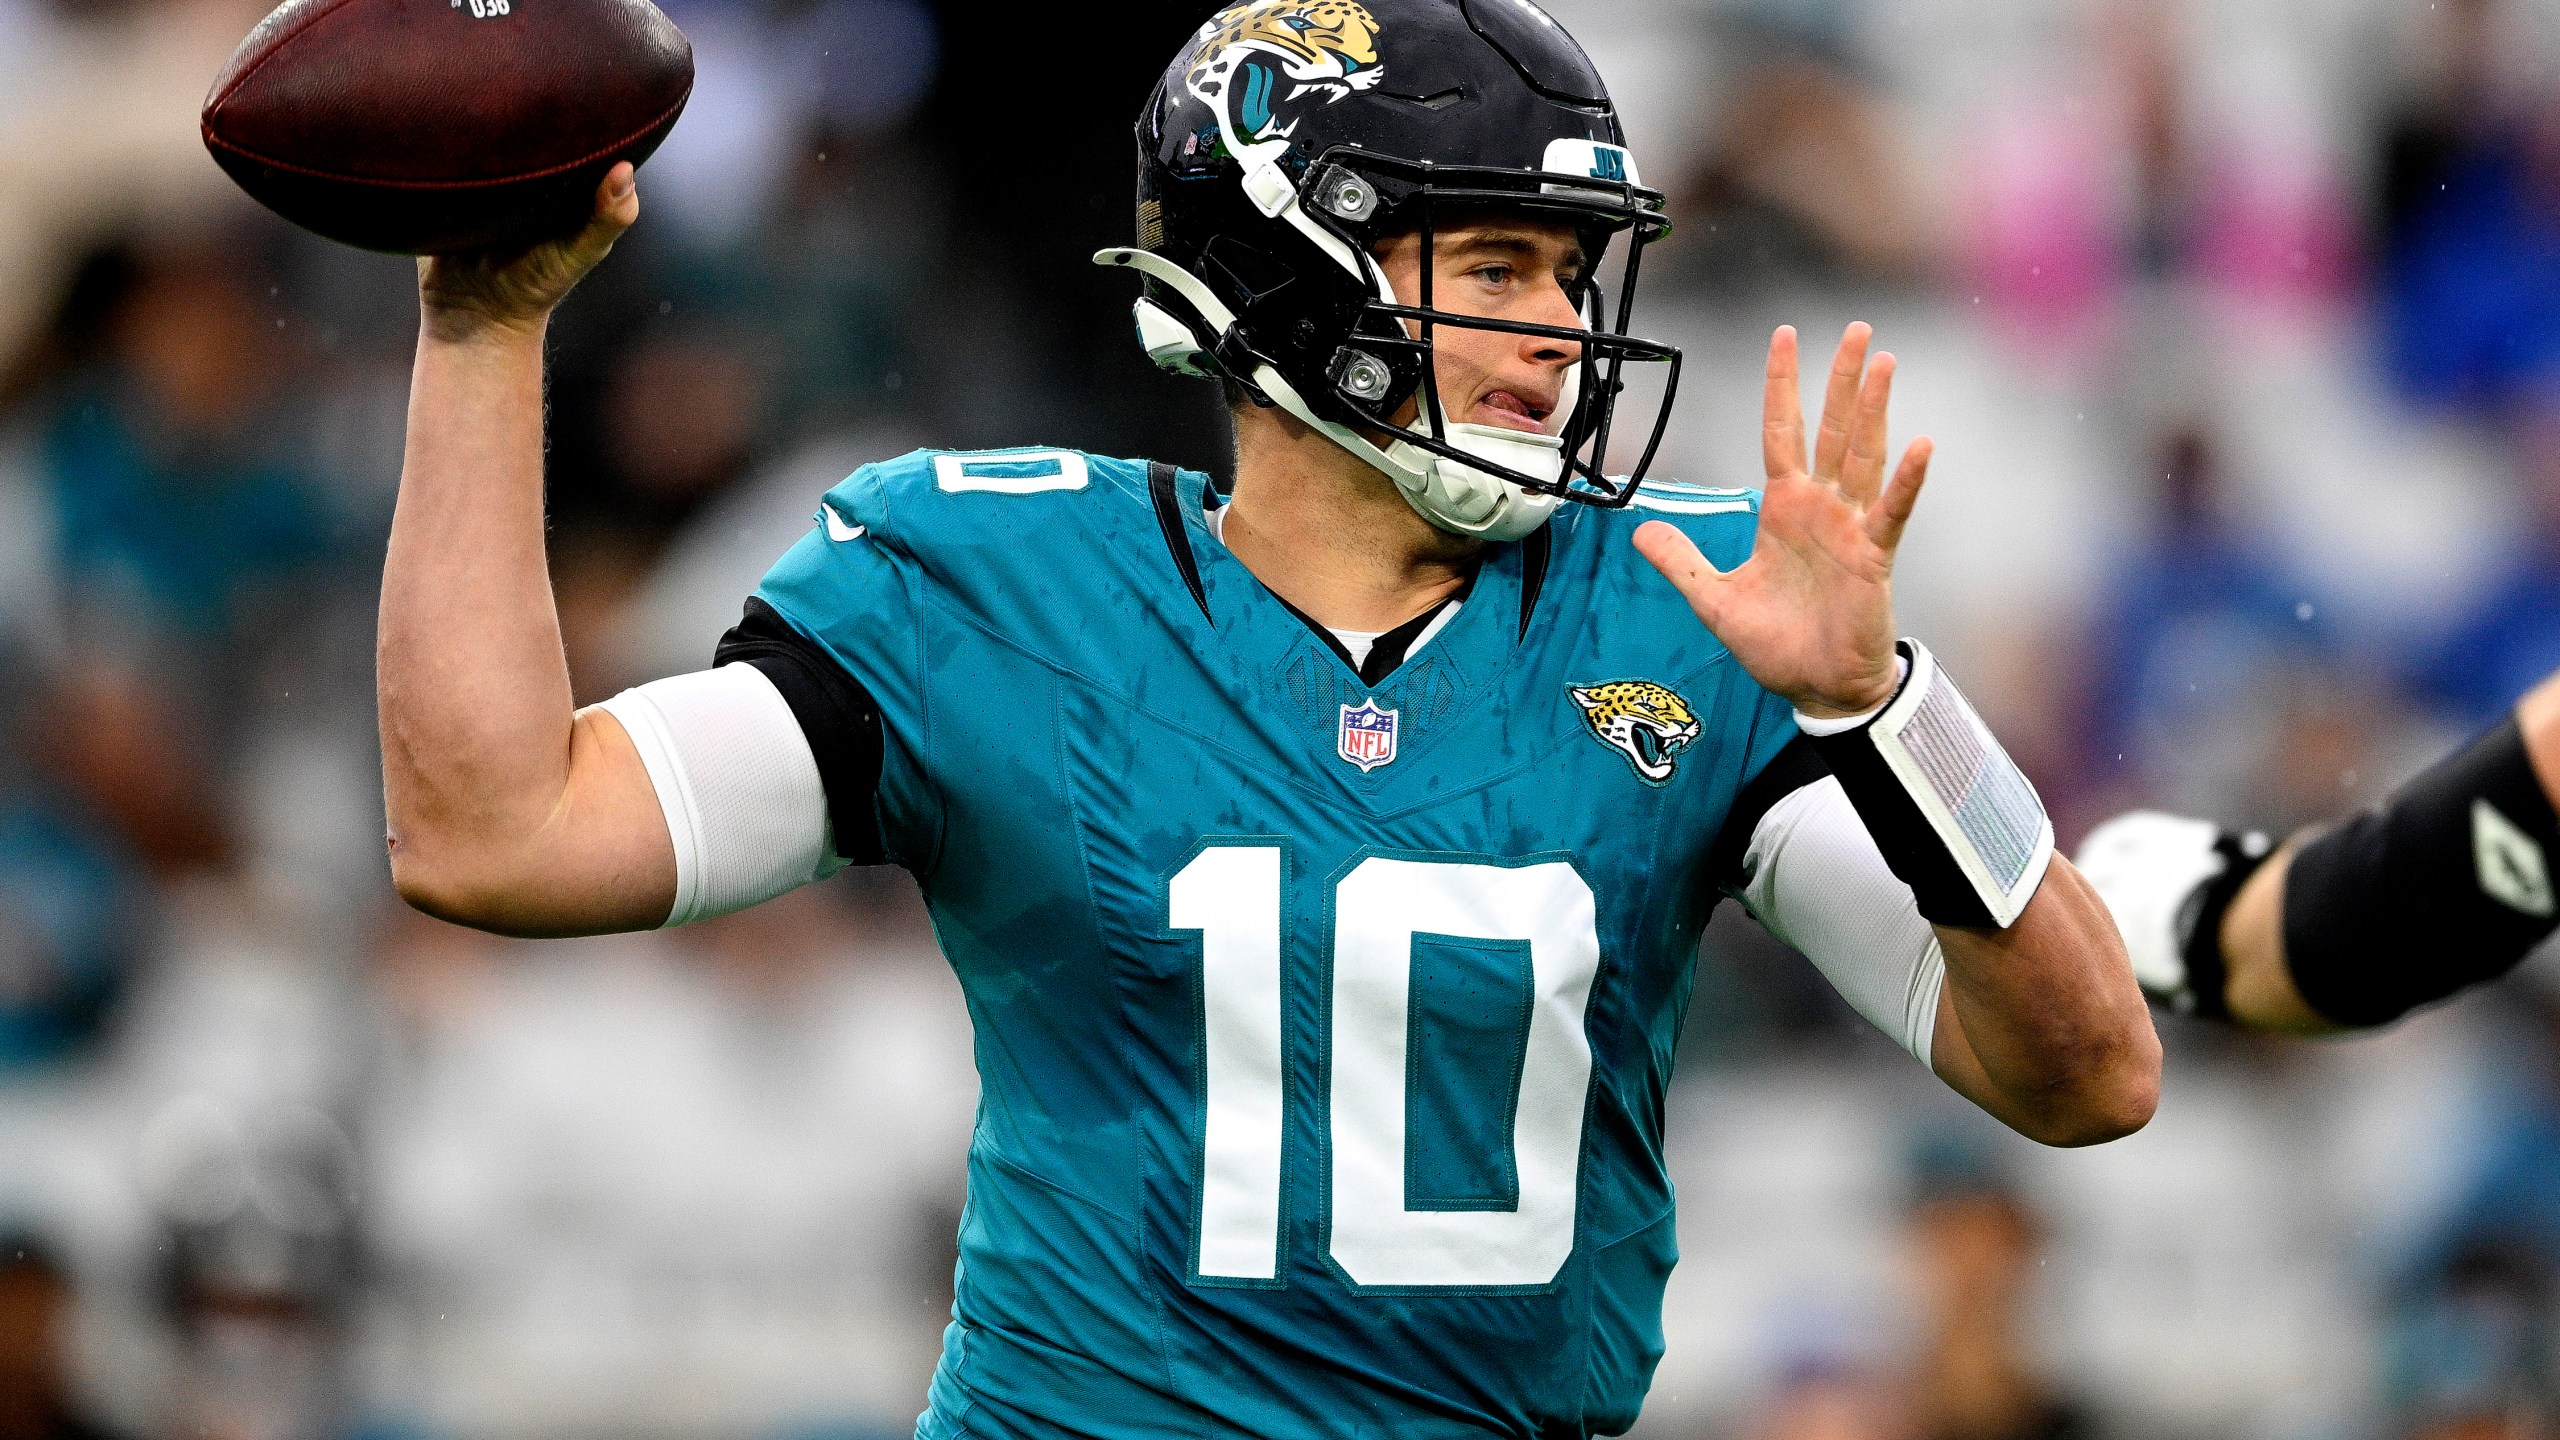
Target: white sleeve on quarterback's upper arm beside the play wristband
1816,880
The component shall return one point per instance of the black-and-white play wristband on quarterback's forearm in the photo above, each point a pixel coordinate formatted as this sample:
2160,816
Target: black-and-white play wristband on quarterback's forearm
1947,806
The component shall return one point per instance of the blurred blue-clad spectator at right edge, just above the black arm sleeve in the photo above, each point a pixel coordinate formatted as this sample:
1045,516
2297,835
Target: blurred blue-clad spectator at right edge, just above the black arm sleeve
2513,632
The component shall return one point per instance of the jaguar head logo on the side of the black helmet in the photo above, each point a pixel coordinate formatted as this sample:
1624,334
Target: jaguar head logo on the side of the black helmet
1261,60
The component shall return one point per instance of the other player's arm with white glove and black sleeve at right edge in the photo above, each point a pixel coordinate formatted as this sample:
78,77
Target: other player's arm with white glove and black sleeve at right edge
2390,911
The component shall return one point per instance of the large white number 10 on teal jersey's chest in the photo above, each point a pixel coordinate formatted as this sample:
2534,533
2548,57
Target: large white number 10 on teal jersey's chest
1233,898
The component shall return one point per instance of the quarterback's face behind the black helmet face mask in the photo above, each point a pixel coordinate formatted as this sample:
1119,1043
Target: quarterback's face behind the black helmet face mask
1499,268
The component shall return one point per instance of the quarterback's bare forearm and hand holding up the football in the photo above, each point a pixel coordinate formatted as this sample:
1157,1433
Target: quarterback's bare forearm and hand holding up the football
508,808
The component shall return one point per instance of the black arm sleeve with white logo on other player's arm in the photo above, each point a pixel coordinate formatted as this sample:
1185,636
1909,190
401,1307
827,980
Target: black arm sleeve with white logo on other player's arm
2441,888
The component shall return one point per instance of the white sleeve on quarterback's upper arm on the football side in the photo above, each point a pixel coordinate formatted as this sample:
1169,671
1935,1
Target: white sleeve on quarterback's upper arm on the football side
736,783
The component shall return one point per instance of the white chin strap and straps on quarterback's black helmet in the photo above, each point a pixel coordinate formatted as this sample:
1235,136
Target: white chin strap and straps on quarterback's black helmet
1453,496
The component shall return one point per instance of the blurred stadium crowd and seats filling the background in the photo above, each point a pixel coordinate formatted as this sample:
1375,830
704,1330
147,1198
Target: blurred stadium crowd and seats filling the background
2239,327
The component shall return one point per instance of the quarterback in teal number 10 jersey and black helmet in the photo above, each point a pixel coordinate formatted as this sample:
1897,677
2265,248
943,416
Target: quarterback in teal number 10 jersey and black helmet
1322,857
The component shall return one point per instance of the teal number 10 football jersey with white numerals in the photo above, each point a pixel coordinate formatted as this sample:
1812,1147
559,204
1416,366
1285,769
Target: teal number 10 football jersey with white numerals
1322,1026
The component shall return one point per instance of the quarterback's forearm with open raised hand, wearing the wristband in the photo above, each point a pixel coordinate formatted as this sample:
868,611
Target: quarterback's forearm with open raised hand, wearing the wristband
2039,1019
